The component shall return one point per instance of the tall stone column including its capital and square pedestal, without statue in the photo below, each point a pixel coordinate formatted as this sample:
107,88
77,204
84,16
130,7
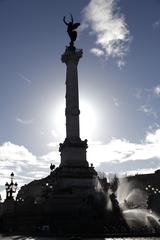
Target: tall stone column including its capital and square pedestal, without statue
73,150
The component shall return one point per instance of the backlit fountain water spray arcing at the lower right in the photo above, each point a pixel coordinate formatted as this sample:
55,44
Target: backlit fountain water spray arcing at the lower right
133,202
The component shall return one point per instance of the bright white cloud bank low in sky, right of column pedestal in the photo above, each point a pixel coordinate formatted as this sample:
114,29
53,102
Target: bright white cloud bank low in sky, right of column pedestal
122,153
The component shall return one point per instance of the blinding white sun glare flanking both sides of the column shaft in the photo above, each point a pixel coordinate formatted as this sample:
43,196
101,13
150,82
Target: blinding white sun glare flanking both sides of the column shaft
87,121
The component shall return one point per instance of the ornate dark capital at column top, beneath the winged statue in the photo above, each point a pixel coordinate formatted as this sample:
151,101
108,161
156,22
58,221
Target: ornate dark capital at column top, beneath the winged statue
71,56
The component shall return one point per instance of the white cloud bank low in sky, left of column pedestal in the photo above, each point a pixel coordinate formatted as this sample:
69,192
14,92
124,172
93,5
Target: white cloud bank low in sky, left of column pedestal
25,165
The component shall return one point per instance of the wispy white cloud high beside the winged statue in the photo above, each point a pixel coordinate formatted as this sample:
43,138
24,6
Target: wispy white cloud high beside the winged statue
109,26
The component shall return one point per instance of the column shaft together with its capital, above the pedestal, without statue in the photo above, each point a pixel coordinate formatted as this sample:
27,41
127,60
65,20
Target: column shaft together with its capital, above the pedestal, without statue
71,59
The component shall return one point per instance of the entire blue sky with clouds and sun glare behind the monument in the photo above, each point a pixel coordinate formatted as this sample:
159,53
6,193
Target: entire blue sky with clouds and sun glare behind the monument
119,84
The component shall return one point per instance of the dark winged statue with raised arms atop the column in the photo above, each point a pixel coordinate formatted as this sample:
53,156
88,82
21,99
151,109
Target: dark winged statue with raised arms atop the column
71,26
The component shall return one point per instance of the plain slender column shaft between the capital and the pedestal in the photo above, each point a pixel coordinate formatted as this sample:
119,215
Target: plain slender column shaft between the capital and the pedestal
72,101
